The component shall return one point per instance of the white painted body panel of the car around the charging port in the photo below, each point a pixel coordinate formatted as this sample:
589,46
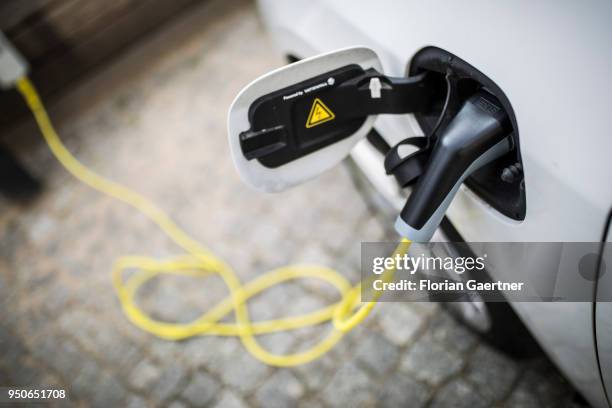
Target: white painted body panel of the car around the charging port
553,60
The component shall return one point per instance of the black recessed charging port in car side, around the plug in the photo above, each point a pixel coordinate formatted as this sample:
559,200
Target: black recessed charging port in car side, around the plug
500,183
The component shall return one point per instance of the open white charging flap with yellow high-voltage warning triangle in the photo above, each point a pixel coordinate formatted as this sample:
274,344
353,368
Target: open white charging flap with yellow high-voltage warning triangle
285,128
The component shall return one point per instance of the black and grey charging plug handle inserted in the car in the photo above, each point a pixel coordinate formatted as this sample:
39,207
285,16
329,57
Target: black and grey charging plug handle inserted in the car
477,135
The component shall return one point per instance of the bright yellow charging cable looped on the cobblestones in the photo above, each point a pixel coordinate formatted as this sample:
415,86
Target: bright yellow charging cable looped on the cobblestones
200,262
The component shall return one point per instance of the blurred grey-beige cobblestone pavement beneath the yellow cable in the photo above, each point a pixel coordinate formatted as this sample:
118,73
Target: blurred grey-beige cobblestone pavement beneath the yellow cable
155,120
